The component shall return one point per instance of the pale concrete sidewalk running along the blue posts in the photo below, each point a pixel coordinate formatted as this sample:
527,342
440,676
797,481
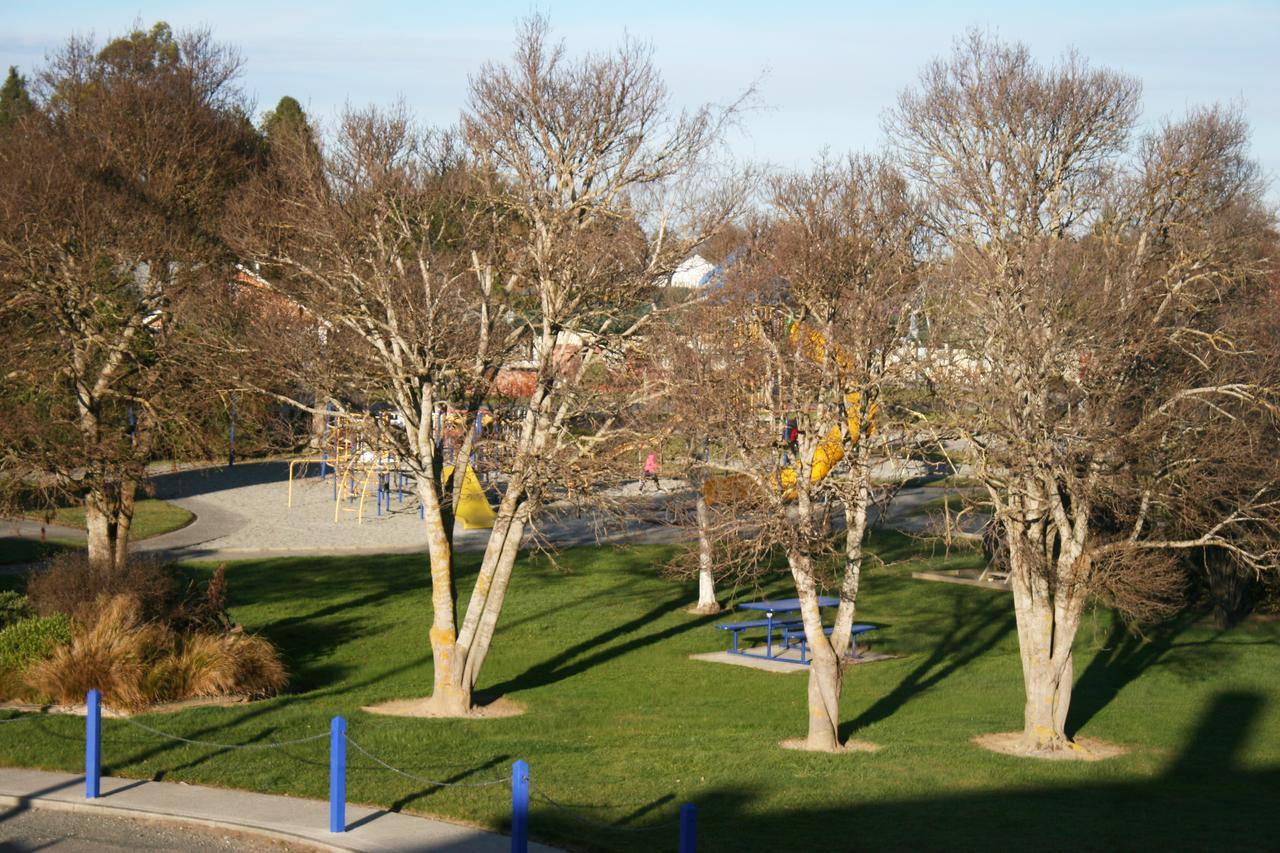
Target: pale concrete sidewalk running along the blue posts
286,819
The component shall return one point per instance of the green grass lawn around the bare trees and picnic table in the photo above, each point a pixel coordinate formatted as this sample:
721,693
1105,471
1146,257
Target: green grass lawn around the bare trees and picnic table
623,727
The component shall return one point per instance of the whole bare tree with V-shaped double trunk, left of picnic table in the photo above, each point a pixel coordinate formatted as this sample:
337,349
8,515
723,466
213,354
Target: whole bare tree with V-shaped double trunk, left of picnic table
429,266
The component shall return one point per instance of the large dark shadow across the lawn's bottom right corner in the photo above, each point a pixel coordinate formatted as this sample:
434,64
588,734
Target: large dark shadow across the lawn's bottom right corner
1204,800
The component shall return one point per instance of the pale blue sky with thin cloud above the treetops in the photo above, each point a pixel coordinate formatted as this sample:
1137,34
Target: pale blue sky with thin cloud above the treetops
826,72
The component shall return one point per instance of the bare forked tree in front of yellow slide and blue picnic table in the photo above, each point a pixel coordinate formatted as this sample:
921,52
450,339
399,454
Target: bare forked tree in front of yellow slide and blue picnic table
813,337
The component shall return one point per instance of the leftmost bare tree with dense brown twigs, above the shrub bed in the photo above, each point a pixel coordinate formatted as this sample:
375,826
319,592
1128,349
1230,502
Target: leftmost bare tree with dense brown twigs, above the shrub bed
111,268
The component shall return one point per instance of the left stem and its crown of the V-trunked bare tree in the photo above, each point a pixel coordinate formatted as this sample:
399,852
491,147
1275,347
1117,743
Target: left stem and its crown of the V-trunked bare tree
382,245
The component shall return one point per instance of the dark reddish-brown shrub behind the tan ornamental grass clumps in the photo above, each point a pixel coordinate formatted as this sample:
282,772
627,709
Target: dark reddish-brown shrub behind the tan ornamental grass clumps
72,586
